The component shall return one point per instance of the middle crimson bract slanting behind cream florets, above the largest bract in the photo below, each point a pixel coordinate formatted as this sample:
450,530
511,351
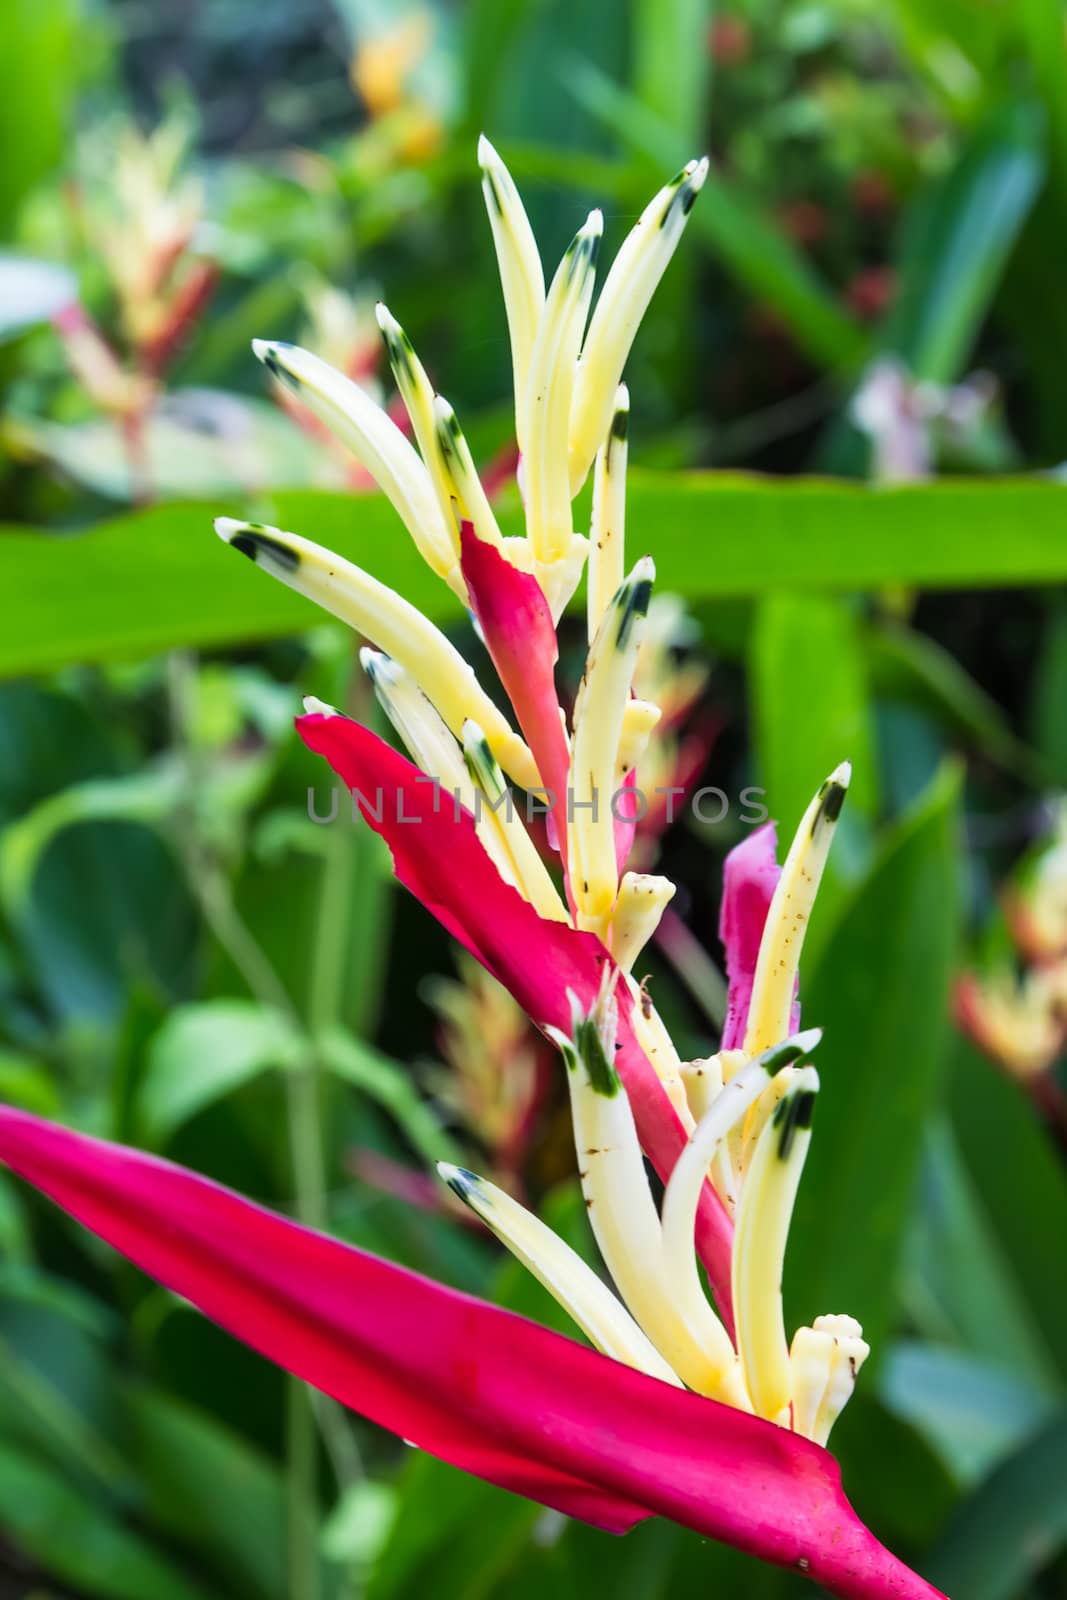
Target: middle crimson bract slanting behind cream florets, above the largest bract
439,857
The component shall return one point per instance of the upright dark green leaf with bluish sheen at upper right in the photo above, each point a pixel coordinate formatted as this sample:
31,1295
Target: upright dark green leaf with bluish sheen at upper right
957,241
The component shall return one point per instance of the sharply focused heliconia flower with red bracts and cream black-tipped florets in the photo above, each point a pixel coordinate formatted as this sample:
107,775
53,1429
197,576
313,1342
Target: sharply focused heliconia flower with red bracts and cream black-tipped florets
697,1409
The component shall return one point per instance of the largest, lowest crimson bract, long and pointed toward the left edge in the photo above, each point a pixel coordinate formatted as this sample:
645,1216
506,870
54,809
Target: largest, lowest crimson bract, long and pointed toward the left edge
479,1386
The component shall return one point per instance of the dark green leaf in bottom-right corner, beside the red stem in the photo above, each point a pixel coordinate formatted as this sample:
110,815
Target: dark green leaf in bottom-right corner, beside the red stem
1012,1527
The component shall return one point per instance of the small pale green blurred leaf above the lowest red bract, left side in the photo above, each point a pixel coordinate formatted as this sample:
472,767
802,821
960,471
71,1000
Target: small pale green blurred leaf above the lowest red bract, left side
206,1052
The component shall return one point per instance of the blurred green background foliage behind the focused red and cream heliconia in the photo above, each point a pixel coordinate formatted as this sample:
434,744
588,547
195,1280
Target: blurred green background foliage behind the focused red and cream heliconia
871,289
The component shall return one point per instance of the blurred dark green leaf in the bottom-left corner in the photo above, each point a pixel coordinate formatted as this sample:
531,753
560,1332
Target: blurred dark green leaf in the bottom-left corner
78,1542
